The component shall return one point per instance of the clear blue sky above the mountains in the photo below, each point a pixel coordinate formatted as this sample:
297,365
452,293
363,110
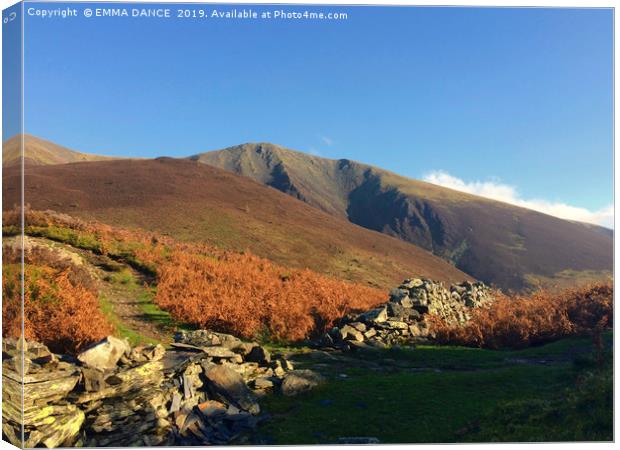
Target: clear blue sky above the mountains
492,98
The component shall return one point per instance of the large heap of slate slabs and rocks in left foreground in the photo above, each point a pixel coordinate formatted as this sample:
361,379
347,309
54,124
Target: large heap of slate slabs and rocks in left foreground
203,390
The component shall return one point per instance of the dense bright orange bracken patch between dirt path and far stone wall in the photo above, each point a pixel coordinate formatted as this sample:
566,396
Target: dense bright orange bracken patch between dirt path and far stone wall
250,296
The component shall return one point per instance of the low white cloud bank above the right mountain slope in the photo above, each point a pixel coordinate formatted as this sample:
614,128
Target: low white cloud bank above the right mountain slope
496,190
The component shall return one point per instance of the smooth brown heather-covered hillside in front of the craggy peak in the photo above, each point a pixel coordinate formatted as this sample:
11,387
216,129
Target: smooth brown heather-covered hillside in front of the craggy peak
196,202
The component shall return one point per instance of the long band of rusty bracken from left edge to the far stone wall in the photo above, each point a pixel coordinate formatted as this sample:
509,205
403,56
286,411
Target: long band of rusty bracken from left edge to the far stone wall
198,284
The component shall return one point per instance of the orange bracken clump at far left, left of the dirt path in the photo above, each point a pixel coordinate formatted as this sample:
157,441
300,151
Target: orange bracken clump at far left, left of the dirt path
60,306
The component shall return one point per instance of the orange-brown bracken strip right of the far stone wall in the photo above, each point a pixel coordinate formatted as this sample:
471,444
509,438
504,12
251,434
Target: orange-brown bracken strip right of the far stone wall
520,321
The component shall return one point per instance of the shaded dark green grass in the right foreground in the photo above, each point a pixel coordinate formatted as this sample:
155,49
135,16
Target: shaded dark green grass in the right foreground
432,394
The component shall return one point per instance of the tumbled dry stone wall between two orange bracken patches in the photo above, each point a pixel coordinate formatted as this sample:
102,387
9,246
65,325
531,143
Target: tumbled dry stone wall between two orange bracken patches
402,318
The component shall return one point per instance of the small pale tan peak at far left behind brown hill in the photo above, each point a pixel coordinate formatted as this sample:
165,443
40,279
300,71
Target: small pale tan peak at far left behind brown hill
41,152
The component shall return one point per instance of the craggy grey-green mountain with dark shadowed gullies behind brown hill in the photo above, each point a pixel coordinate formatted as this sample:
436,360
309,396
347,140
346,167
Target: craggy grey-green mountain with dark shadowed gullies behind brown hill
511,247
